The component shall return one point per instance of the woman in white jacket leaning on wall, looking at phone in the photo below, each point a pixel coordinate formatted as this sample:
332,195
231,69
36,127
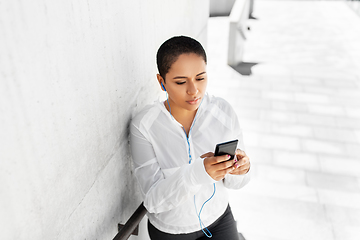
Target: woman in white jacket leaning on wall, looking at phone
183,183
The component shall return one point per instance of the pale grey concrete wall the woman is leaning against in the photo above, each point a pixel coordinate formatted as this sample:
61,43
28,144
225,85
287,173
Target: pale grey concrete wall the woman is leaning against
72,73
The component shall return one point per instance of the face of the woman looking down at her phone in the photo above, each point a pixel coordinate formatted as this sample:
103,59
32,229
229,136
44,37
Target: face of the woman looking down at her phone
186,82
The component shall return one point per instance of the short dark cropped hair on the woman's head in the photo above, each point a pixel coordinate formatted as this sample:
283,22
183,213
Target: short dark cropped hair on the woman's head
172,48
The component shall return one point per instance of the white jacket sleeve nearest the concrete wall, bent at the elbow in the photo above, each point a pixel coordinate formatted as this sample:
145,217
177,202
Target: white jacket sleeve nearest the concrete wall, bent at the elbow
163,191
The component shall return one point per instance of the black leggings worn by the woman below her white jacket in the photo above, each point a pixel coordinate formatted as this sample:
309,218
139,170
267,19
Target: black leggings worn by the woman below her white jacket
223,228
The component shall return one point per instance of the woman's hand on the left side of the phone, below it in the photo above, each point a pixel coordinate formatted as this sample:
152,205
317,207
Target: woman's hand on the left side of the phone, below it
217,167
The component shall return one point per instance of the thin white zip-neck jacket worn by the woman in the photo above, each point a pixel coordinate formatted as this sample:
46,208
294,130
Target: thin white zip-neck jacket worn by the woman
161,160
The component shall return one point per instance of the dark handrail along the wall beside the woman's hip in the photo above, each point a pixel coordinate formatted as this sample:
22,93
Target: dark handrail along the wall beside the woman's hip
131,223
